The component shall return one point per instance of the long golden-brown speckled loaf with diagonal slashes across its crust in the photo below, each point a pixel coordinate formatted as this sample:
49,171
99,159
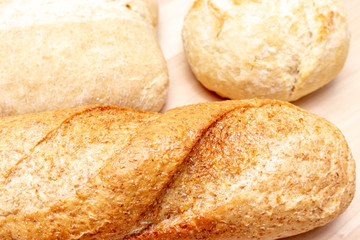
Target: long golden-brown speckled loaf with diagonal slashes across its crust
255,169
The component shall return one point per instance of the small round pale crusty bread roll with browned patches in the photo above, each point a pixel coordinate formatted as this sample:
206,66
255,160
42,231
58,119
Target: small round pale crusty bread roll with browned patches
266,49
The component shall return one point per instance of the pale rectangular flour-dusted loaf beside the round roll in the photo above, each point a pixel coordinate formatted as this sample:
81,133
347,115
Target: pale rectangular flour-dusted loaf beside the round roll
57,54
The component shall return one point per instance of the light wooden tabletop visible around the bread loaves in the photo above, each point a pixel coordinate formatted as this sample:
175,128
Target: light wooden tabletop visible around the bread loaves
338,102
